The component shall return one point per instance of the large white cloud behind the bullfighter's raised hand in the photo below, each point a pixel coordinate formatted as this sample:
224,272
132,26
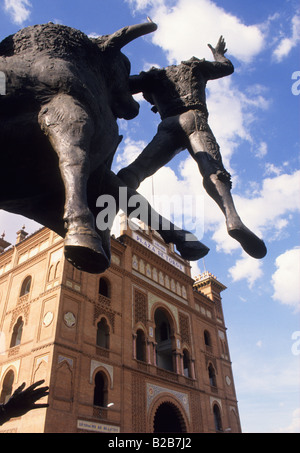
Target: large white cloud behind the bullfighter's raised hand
185,29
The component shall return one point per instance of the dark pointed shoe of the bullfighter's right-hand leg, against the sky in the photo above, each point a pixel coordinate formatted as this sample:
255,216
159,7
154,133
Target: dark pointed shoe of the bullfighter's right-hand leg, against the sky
251,244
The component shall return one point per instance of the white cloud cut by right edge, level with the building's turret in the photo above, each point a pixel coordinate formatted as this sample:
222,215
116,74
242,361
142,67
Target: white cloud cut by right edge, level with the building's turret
285,279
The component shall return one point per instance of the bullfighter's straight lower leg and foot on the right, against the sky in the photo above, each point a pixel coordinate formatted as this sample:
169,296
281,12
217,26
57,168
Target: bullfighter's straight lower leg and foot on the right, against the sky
216,181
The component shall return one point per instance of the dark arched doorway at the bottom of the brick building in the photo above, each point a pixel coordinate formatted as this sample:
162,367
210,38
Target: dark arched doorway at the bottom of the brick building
168,419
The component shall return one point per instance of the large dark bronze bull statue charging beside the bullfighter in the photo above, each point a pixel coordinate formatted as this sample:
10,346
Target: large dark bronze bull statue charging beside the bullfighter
59,134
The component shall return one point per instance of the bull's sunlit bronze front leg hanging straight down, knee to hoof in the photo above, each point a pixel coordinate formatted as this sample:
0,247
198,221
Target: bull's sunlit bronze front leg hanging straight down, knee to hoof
70,129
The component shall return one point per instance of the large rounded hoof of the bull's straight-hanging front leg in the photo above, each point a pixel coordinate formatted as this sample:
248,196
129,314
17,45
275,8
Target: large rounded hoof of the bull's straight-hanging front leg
85,252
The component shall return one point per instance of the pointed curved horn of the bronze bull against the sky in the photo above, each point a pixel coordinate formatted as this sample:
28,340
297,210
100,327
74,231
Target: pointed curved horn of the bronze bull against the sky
125,35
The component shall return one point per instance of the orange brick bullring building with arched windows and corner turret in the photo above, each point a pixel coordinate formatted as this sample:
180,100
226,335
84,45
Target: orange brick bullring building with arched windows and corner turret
139,348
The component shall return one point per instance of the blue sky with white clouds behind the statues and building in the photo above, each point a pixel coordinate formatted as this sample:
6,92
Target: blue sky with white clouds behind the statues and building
254,115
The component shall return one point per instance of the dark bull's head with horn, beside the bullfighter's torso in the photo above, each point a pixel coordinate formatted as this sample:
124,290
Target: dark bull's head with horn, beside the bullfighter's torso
122,103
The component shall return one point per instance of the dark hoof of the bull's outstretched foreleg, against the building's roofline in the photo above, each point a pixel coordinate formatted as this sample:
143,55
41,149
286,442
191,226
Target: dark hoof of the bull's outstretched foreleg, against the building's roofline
187,245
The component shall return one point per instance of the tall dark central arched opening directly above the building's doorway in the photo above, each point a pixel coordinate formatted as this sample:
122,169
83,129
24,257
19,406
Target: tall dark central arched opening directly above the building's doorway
164,349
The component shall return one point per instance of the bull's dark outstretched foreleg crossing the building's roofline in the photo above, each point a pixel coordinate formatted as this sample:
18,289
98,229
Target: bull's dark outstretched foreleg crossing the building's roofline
187,244
